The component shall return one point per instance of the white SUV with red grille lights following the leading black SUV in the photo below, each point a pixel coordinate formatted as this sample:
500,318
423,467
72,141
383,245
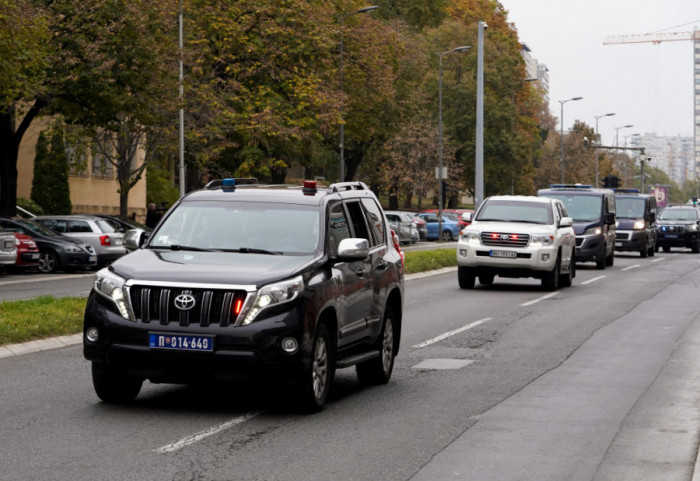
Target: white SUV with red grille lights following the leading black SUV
518,236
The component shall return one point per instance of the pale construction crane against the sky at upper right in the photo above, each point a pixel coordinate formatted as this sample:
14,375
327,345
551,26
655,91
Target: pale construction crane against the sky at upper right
657,38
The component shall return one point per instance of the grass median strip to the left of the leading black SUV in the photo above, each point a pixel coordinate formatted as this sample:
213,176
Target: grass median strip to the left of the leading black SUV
39,318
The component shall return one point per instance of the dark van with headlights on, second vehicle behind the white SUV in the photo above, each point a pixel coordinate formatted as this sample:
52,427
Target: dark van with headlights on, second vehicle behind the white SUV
636,222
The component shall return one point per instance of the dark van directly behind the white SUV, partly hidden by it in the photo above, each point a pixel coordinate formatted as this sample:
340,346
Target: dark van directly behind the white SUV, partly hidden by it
593,212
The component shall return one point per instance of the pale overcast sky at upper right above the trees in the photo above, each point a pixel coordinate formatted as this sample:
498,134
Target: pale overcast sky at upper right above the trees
647,85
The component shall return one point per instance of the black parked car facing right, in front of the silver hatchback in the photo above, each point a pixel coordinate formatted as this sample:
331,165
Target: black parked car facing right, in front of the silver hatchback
57,252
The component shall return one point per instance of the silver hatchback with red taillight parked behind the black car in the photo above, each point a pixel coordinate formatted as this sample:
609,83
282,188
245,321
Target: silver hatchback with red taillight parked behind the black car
100,234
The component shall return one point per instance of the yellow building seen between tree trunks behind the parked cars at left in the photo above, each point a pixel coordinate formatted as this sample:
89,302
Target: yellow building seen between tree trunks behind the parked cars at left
93,186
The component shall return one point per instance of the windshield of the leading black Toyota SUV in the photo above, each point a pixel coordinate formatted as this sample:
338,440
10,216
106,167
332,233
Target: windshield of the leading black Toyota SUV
240,226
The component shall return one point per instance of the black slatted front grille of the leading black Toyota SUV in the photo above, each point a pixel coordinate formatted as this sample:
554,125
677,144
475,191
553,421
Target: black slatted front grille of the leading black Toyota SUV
211,306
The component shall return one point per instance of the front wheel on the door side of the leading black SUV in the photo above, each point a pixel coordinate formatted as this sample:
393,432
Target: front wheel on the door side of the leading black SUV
315,383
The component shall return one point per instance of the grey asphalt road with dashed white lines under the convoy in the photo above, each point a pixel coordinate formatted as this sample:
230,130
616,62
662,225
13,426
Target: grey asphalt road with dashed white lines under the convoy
594,382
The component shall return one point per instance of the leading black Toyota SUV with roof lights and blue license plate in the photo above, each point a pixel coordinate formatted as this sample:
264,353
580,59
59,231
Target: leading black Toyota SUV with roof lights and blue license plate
248,281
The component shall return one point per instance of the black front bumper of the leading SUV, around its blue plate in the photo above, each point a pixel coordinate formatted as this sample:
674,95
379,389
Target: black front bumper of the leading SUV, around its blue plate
240,353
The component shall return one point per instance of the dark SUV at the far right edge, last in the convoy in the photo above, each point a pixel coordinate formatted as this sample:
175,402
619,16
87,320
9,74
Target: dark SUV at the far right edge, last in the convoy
678,227
